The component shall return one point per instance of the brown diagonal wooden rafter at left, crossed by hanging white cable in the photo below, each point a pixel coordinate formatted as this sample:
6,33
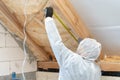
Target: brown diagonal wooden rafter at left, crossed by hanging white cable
11,18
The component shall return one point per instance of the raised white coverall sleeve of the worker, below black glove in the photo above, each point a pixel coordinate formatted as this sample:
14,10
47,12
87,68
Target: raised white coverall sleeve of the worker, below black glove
60,51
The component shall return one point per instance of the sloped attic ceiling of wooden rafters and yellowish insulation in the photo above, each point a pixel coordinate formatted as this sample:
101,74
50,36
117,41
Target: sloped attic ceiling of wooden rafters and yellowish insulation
12,16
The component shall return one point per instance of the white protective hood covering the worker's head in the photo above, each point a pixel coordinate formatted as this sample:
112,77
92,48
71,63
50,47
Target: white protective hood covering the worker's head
89,49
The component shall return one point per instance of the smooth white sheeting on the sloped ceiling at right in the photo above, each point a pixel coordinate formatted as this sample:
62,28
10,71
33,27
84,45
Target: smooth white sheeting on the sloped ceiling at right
102,17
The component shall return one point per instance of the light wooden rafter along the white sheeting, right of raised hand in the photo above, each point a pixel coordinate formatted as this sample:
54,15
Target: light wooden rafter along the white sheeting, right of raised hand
67,12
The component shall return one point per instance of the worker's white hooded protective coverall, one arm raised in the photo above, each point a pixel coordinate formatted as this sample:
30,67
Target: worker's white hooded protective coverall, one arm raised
74,66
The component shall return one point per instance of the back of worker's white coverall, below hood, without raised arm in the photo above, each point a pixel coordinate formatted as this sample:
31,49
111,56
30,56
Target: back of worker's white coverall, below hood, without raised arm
76,68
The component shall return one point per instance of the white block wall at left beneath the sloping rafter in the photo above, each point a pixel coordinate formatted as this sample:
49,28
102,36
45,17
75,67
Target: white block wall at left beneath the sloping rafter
11,55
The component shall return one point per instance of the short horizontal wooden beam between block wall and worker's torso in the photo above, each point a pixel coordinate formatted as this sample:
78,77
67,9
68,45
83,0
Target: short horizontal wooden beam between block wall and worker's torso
48,65
